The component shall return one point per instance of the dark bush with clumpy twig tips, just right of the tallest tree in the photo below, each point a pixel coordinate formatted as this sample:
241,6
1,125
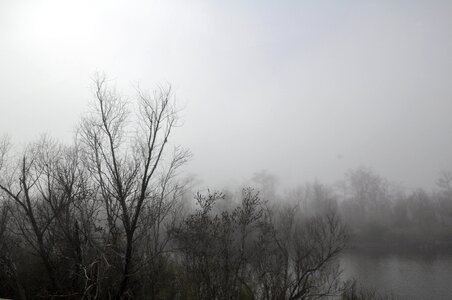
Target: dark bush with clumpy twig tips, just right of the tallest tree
216,247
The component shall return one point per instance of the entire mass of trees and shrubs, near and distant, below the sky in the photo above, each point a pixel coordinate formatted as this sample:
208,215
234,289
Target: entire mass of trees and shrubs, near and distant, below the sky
109,217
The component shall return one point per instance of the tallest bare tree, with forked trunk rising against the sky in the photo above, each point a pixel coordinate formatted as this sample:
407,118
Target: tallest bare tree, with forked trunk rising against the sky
126,161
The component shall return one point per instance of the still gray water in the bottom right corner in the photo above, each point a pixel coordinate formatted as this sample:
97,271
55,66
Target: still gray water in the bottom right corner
411,276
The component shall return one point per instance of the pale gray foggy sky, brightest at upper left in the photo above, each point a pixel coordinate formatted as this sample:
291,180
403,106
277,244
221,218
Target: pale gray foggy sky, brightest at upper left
304,89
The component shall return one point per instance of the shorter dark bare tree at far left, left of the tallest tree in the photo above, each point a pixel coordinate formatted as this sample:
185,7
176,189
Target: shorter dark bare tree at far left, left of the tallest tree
41,187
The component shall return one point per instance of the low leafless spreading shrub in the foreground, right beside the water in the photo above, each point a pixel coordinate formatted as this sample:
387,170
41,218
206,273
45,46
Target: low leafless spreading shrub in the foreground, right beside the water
297,255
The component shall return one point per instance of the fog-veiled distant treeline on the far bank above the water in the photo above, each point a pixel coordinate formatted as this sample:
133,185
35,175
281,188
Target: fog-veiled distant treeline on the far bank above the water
384,217
